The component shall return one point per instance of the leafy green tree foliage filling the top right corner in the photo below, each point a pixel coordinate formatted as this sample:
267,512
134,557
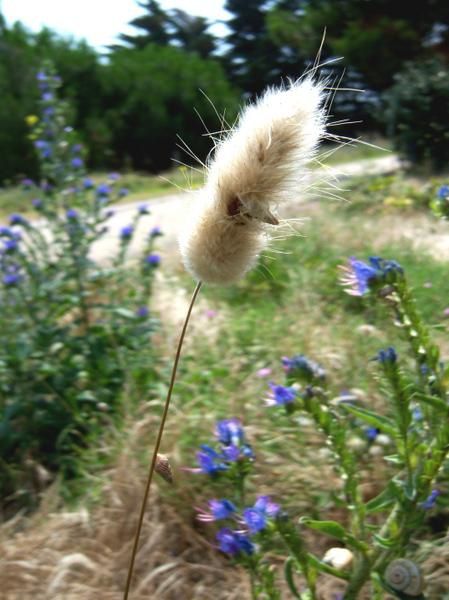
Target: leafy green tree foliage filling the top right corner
377,37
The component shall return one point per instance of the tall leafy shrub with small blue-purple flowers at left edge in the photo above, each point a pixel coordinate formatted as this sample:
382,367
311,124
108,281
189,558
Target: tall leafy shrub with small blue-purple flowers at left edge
71,326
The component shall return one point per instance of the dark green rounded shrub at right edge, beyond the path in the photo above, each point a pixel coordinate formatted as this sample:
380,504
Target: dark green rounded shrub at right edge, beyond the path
416,113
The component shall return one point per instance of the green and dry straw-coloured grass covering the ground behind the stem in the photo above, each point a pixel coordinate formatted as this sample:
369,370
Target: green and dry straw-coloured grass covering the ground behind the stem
290,304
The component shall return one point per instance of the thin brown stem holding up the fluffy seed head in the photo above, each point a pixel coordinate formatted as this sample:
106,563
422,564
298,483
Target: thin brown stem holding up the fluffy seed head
158,442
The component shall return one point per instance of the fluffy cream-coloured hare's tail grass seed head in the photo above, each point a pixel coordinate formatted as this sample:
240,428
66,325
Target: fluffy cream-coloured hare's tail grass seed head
261,162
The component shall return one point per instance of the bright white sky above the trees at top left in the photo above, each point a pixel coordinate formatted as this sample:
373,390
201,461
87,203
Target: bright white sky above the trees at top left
97,21
